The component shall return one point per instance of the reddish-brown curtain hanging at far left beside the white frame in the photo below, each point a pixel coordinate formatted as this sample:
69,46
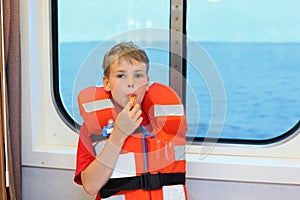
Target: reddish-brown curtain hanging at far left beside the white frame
11,25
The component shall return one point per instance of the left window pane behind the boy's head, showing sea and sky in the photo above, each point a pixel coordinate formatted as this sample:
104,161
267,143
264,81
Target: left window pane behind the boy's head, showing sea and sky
87,30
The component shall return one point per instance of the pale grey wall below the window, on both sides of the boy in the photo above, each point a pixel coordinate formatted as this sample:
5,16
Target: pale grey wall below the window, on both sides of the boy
54,184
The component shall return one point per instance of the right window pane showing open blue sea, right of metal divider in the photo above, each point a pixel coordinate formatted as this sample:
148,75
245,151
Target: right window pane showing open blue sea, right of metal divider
255,46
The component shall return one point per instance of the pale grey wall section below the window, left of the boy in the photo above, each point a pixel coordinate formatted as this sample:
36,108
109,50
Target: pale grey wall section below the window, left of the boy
50,184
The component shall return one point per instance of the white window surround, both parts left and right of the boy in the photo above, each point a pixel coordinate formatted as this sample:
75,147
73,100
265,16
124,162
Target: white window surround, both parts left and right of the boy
43,129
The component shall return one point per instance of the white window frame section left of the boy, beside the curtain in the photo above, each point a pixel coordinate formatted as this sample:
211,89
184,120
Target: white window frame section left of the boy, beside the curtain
46,139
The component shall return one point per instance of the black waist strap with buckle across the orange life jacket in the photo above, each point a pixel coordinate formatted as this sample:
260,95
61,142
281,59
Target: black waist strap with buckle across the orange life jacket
146,181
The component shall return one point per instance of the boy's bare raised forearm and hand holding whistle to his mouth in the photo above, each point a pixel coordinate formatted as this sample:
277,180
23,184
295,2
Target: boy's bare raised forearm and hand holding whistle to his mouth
99,171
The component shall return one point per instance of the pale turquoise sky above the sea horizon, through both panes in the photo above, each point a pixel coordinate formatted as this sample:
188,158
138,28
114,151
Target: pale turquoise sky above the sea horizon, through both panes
208,20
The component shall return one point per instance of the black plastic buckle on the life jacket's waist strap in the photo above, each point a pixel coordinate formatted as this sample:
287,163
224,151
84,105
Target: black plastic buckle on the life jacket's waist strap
150,181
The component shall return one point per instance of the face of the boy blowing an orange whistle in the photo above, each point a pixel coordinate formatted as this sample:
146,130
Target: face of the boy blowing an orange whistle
126,78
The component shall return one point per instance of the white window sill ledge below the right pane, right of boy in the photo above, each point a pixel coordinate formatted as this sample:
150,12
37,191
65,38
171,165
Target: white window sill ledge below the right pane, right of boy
245,169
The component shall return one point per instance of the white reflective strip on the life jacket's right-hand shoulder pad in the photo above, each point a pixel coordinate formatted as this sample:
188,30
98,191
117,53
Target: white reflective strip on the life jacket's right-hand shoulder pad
168,110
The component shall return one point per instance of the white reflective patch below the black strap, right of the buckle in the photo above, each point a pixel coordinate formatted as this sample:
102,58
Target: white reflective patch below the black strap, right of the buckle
173,192
